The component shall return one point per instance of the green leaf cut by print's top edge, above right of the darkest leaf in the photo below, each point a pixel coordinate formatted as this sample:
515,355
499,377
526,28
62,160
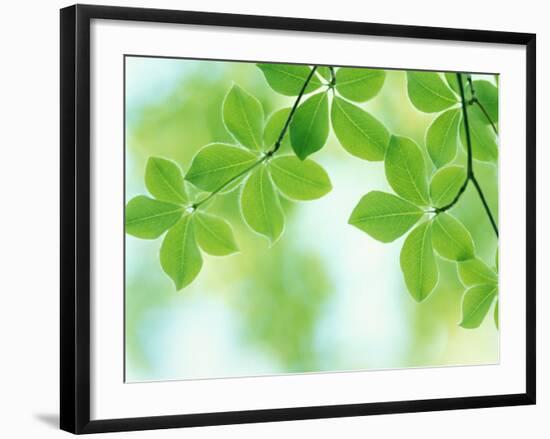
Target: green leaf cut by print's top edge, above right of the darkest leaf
359,85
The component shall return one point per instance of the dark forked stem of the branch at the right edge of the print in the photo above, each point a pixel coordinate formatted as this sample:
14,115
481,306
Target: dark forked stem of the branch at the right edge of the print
469,166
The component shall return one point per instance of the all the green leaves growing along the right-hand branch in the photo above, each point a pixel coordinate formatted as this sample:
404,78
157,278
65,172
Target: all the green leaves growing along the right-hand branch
422,204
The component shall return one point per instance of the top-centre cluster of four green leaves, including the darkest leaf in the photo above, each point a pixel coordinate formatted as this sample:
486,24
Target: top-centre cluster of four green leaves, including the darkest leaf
333,95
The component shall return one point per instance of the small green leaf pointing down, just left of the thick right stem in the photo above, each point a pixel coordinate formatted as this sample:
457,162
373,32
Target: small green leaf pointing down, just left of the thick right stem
442,137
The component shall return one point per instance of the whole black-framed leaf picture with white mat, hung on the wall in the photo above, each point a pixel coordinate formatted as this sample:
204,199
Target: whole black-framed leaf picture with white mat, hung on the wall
268,218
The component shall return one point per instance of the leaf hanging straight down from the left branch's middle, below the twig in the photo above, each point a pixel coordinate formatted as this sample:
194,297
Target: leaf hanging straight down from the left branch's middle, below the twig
261,207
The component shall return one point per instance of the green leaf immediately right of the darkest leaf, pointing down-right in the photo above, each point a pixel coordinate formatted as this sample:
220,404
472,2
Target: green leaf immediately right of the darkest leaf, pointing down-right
361,134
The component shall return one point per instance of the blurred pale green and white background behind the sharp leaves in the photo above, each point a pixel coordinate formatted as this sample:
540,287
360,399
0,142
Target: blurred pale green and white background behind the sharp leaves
326,296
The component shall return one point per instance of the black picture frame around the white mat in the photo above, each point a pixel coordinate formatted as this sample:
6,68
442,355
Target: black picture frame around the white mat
75,217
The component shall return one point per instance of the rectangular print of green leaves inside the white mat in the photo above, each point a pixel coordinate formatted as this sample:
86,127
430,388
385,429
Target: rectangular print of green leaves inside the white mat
289,218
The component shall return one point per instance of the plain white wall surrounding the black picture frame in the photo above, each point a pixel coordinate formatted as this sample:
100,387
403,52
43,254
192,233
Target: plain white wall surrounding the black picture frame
29,247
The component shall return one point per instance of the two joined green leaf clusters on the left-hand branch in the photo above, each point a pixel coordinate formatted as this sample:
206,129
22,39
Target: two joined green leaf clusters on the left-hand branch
219,168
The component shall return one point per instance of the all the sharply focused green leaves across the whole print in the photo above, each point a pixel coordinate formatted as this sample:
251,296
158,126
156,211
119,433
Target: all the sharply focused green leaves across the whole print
419,207
